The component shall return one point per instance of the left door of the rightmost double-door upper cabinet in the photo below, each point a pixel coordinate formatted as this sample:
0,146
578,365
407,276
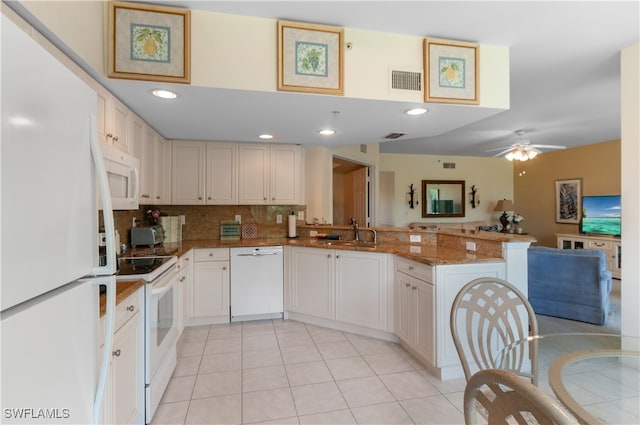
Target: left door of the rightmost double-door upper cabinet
253,174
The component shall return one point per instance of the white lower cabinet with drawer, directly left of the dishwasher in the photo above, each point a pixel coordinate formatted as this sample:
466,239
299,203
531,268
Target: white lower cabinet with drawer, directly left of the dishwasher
210,287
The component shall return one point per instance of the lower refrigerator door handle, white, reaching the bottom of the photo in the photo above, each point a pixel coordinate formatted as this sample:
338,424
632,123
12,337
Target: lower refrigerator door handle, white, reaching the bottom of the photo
109,325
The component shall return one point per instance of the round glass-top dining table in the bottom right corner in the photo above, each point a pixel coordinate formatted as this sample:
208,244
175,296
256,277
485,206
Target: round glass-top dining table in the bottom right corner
596,376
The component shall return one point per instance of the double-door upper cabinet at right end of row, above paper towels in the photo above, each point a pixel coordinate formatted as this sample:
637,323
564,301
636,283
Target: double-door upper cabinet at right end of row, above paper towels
268,174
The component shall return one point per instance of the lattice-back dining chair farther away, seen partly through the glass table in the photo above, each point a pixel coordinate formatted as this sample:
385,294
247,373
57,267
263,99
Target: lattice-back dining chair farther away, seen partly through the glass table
488,314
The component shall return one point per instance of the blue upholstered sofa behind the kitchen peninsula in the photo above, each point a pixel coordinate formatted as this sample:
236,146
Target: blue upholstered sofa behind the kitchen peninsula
569,283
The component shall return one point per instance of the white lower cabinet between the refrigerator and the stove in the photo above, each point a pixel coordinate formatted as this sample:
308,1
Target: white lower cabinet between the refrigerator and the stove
123,401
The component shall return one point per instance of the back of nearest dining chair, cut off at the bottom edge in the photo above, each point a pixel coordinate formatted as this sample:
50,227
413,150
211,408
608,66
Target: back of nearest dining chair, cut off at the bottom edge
503,397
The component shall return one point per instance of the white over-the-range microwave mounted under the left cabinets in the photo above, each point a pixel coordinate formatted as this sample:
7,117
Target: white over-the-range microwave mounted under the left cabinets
123,178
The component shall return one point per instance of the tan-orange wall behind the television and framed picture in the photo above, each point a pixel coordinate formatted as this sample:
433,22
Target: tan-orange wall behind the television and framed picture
598,166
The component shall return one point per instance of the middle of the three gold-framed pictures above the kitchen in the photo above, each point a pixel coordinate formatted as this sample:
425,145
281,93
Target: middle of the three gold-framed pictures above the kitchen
310,58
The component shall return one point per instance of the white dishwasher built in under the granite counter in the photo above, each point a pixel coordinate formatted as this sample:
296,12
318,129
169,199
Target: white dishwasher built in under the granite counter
257,283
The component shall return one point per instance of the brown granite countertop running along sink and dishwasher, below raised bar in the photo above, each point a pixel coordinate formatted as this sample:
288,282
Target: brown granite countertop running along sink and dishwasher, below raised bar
423,253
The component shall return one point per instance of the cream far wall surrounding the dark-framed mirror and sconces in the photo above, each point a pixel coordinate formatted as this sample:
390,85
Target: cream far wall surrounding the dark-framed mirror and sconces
493,178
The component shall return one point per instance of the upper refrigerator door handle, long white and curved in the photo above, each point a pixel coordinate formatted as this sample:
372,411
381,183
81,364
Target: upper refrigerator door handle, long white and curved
105,197
